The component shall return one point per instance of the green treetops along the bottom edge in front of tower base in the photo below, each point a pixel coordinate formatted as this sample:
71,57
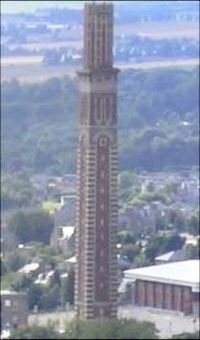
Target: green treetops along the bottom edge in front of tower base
97,329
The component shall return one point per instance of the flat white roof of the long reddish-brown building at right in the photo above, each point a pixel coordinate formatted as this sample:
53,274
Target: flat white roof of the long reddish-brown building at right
185,273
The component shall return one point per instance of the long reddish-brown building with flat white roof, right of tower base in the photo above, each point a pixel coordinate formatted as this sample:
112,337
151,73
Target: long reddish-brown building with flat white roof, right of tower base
172,286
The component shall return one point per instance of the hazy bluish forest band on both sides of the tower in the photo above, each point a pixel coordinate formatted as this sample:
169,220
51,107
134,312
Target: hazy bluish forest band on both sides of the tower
158,122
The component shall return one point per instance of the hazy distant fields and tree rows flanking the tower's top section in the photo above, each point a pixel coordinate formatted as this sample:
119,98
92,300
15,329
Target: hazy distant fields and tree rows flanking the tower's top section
53,37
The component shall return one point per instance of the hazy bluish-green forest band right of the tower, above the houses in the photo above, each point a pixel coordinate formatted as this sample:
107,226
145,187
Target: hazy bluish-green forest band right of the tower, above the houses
159,119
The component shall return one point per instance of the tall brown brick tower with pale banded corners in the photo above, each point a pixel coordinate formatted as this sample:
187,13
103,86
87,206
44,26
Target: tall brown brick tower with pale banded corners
97,210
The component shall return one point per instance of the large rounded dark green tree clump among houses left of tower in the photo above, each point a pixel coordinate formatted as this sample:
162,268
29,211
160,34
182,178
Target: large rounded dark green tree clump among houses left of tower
35,225
